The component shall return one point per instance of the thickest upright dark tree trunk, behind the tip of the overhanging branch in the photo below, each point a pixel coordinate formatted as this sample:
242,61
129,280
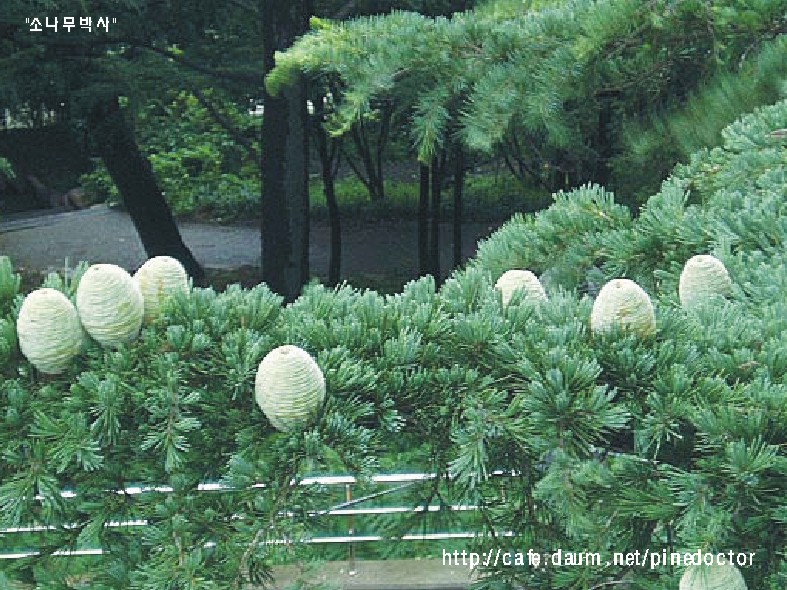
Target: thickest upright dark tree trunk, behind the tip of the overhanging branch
284,166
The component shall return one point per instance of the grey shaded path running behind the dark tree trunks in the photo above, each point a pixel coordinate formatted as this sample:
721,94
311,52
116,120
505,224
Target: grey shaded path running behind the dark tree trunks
379,254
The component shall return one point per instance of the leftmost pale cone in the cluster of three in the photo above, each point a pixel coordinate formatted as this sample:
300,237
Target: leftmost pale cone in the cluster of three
48,329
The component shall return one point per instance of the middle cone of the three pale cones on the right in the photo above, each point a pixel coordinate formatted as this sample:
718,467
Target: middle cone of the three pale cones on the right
623,304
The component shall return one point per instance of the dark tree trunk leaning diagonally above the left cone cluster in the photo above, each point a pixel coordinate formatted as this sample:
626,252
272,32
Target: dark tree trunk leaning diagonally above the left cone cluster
133,175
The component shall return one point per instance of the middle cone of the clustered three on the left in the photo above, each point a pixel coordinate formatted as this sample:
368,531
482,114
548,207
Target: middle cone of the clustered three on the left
110,304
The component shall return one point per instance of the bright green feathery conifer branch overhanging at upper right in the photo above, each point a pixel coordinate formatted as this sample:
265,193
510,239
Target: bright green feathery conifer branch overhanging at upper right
557,77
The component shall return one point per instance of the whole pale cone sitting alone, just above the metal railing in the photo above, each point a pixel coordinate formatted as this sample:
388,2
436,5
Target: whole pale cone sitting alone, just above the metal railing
289,388
